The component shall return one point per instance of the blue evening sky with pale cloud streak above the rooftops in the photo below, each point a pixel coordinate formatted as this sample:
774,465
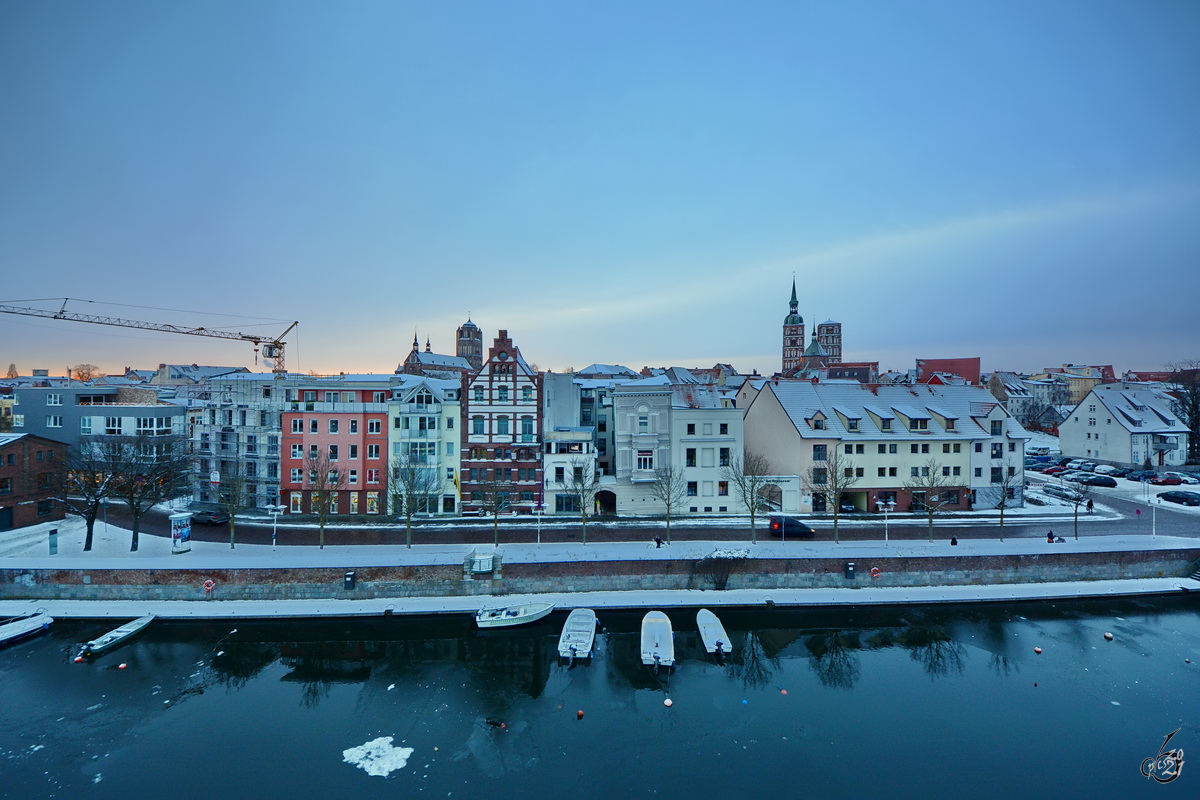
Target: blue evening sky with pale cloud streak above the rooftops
619,183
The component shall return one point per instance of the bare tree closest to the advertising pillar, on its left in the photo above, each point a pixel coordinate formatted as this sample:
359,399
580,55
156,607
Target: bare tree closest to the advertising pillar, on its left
146,471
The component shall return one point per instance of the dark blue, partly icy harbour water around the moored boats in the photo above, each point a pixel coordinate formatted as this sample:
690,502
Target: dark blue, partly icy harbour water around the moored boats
938,702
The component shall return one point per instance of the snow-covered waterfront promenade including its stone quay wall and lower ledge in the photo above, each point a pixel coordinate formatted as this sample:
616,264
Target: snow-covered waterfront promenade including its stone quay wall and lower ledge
260,581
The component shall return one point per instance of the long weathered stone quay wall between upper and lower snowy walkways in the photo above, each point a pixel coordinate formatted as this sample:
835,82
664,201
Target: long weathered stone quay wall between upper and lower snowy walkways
454,581
